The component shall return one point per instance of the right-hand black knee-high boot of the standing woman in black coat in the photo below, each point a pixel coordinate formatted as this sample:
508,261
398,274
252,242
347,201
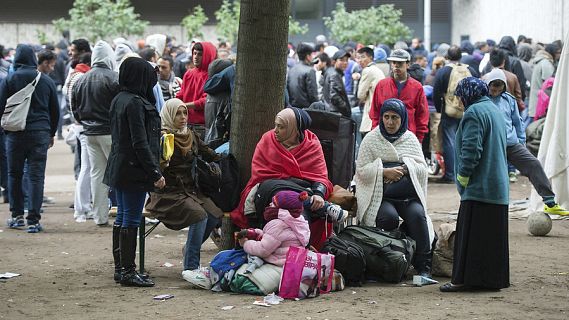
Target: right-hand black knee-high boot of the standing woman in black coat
129,276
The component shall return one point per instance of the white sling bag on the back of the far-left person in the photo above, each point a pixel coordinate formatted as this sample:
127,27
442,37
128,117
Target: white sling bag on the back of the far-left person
17,107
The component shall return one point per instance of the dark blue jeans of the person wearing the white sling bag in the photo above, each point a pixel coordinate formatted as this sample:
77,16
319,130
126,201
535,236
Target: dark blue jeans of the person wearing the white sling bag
27,148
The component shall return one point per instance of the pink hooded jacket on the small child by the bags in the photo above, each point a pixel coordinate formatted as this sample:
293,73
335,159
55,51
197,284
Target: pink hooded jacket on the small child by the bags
278,235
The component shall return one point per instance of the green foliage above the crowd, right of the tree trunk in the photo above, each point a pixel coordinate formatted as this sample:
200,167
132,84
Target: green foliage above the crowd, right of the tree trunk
381,24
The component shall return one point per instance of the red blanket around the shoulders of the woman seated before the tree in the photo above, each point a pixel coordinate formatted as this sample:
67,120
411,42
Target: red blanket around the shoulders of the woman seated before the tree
273,161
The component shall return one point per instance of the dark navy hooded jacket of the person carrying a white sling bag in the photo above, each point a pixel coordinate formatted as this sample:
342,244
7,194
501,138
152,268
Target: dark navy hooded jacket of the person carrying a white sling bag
43,114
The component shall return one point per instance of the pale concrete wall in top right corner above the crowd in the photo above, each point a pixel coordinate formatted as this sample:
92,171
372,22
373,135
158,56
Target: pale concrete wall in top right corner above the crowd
541,20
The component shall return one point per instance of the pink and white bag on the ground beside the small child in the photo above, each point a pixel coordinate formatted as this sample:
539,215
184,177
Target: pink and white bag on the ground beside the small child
303,274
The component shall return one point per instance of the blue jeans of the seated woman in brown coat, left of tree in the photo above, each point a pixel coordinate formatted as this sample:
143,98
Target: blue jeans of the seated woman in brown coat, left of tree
197,235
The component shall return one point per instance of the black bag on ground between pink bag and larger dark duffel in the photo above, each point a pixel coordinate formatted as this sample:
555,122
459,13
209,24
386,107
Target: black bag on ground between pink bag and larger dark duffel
350,259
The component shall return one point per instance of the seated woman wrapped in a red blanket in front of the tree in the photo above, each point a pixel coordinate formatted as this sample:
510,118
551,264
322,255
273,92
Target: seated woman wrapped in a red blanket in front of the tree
290,154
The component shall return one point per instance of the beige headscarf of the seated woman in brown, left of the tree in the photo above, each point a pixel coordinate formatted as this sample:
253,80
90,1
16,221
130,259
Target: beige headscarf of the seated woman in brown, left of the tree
183,137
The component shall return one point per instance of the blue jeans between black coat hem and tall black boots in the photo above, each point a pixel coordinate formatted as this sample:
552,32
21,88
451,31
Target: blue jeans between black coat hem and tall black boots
129,207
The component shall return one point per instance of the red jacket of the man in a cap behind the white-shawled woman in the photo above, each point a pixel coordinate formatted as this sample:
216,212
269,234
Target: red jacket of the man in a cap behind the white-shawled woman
414,98
